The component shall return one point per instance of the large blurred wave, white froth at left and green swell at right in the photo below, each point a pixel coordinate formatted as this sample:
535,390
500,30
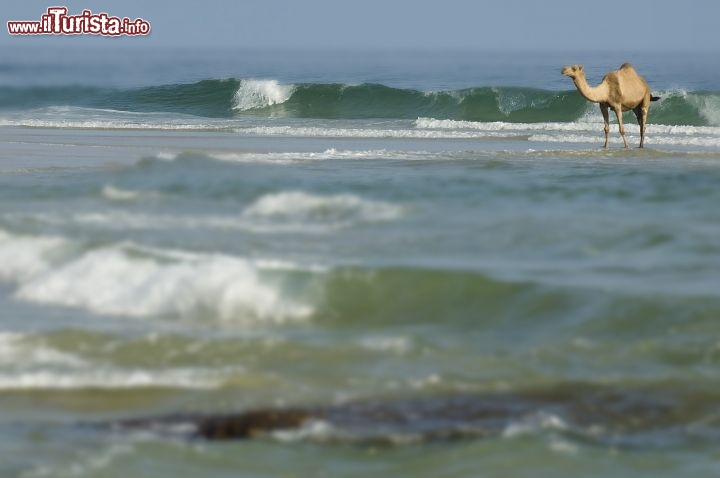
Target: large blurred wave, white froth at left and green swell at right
131,280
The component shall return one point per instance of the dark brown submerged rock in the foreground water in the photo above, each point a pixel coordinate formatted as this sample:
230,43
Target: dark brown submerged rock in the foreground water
623,417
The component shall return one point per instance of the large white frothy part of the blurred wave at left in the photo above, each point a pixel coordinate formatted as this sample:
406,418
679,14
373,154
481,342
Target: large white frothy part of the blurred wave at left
130,280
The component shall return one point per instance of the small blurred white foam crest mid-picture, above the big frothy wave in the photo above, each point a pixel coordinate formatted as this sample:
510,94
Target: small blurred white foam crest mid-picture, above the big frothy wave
298,206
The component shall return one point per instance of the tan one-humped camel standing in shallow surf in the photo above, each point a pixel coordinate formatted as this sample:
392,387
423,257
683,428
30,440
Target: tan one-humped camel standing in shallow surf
622,90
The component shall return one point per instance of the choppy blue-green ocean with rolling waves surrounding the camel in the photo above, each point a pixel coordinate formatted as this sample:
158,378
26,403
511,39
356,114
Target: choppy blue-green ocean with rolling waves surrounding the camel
425,255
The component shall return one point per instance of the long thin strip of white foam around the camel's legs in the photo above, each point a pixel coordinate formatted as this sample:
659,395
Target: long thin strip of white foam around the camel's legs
425,128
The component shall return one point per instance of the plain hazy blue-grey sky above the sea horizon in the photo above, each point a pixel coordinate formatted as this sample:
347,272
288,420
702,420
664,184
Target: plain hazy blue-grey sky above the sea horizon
394,24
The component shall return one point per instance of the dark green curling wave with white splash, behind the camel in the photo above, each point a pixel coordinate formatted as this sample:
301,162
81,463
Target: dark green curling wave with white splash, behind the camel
226,98
